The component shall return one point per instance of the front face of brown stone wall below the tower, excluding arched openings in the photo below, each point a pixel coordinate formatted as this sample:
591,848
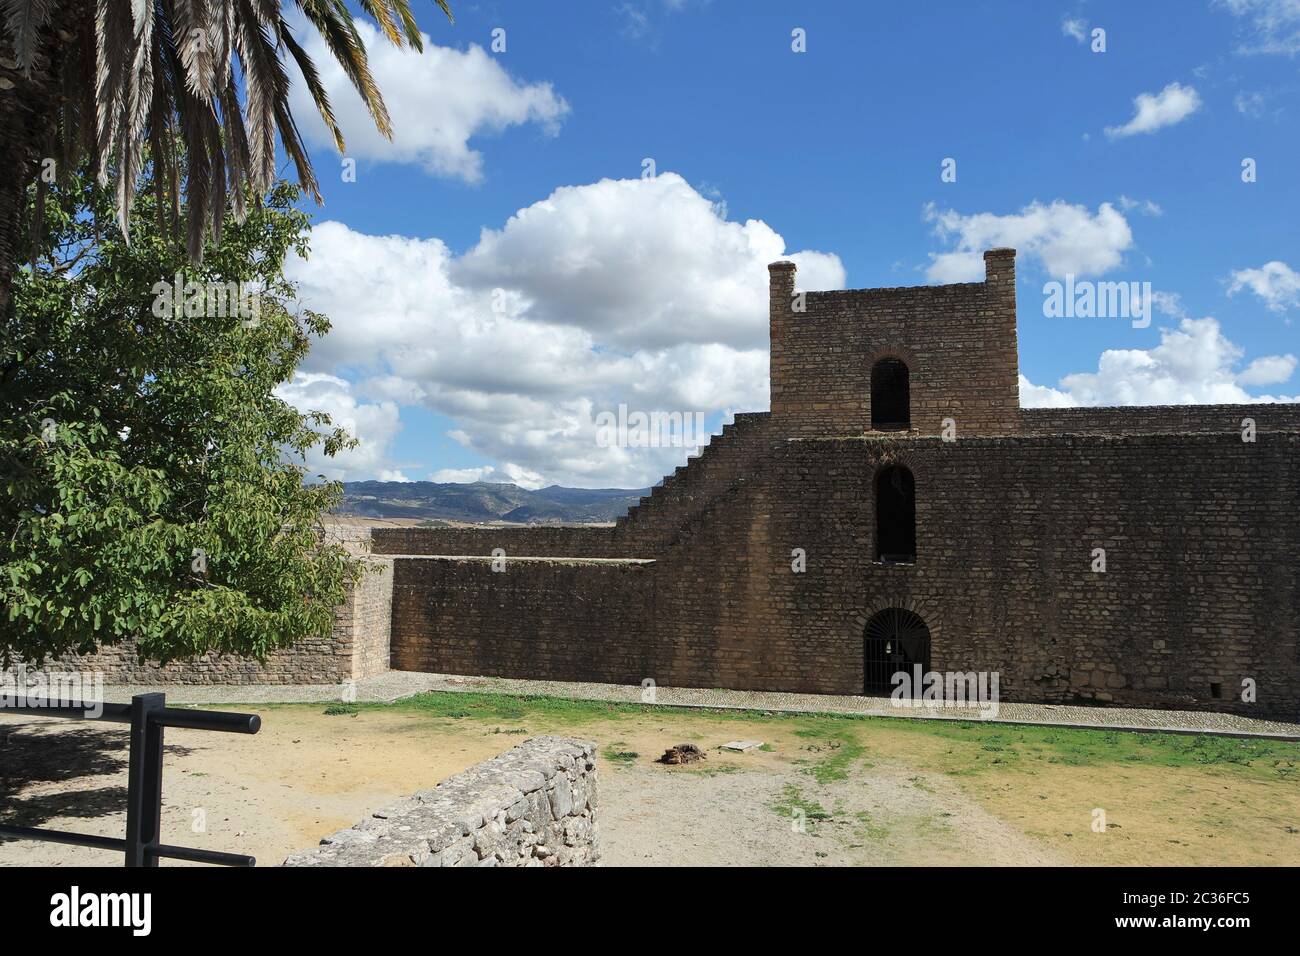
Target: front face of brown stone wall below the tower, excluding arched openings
1201,589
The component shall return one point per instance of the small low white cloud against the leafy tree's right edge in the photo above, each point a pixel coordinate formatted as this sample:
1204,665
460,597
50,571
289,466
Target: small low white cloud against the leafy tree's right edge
372,425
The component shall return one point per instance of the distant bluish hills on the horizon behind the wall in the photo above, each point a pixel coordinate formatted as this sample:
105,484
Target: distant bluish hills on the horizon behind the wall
483,501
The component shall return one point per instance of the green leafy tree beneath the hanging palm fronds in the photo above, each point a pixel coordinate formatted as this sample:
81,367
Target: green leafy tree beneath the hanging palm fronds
153,481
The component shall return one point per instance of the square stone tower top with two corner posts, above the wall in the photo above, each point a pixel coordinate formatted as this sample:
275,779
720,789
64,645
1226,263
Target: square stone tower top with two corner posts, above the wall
902,360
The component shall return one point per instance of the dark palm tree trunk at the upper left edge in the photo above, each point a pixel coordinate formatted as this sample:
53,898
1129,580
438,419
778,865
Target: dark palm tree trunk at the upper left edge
29,116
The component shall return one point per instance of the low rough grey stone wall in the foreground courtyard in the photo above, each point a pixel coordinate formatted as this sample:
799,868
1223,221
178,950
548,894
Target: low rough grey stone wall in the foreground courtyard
534,806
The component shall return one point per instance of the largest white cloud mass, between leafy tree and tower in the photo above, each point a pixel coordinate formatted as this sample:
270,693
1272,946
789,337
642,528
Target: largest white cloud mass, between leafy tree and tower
631,292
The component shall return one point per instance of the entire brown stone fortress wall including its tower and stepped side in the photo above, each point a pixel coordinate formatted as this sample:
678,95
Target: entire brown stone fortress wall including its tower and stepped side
696,586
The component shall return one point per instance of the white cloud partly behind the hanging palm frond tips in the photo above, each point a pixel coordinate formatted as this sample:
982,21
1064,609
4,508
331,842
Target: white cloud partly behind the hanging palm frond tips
437,101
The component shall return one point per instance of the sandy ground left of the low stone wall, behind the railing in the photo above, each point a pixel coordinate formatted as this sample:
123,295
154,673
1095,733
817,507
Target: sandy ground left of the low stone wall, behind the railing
268,795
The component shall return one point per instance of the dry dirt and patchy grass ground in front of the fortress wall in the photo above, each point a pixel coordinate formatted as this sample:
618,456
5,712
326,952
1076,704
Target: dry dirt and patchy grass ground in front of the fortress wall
824,791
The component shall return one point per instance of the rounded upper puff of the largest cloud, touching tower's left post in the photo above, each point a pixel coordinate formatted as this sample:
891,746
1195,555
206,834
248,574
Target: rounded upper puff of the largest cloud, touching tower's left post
639,263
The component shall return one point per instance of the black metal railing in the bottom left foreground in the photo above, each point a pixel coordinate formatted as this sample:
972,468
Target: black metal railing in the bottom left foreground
148,715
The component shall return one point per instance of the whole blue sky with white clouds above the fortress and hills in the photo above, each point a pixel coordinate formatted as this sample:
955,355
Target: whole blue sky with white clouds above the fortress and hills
461,356
